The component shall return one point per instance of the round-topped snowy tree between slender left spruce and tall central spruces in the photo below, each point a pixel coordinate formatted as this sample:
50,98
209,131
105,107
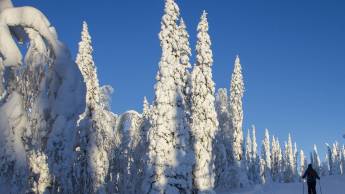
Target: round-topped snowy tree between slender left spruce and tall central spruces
128,158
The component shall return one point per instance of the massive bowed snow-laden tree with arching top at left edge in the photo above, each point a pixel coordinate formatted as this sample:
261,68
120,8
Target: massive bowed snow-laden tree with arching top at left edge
40,110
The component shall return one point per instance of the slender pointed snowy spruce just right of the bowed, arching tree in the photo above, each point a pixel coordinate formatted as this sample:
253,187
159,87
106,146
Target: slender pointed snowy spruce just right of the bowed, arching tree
95,127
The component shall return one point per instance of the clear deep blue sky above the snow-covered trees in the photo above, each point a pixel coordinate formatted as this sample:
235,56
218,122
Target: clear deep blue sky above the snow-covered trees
292,53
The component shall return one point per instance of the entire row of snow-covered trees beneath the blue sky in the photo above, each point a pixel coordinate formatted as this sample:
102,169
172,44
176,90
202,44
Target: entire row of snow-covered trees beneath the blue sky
58,135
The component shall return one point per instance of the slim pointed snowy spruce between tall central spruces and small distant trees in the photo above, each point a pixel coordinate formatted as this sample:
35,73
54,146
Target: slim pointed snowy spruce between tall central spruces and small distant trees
236,110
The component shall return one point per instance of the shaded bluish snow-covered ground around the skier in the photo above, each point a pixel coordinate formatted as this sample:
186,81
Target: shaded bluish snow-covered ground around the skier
329,185
